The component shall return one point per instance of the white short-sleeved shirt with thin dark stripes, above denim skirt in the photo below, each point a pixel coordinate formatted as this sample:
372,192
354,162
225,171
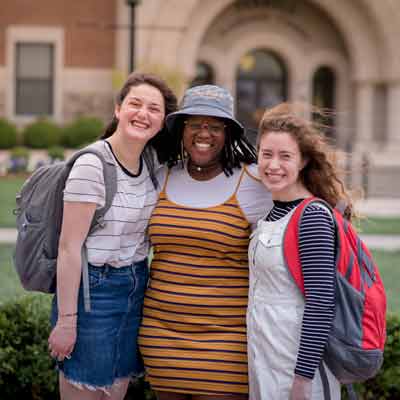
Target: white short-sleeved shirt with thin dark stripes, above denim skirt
123,239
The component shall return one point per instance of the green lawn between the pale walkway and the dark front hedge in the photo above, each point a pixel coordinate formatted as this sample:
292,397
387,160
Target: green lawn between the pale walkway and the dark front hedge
388,263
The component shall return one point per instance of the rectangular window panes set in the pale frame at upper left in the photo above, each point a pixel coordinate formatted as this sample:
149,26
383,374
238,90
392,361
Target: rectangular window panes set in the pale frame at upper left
34,79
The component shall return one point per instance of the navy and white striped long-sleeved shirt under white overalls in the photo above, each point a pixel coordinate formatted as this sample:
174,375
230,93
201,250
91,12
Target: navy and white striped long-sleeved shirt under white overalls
317,257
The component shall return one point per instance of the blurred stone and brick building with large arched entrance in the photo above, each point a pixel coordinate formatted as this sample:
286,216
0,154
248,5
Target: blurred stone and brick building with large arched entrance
64,58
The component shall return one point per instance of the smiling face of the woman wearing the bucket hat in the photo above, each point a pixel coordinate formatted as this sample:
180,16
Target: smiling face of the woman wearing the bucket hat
204,139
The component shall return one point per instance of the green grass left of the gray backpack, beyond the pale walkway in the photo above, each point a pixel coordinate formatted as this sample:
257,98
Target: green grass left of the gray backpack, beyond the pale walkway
9,186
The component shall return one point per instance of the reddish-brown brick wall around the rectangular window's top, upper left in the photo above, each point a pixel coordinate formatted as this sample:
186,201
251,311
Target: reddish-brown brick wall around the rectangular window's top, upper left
89,27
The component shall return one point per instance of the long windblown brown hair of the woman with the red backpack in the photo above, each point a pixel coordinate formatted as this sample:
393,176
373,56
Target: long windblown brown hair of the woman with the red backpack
321,175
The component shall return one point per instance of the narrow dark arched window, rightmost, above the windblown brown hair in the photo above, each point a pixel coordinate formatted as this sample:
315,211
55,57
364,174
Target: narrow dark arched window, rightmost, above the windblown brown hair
324,97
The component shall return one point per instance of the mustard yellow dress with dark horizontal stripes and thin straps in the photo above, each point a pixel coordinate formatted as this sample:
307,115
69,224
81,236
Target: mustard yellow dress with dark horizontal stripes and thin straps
193,334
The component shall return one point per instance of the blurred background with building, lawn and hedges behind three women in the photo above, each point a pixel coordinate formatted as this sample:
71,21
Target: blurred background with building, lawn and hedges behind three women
63,61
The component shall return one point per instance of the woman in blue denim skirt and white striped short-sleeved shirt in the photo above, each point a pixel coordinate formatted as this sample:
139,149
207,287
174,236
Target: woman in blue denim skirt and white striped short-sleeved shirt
97,350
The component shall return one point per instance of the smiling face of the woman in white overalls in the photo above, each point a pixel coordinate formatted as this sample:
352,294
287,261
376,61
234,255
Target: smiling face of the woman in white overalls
279,165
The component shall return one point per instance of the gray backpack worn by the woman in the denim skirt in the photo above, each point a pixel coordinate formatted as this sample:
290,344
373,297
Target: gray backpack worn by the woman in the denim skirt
39,217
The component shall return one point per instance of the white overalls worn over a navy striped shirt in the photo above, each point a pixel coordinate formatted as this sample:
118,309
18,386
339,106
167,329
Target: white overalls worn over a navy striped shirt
274,319
